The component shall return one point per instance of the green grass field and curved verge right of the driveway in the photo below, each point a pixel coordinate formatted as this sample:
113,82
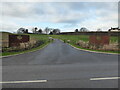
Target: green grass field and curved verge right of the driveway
74,38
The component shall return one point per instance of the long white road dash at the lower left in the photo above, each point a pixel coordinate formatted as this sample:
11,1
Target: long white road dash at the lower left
33,81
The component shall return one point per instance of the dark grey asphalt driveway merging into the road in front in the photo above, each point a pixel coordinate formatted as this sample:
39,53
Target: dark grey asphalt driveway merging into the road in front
60,66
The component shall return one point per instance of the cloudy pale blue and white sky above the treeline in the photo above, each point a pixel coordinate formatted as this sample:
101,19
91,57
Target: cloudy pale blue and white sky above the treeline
67,16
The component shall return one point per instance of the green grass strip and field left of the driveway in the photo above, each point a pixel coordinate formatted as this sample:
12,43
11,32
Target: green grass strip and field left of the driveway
32,36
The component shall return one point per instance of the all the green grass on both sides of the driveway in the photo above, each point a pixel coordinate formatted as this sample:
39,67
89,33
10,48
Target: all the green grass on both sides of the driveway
73,39
